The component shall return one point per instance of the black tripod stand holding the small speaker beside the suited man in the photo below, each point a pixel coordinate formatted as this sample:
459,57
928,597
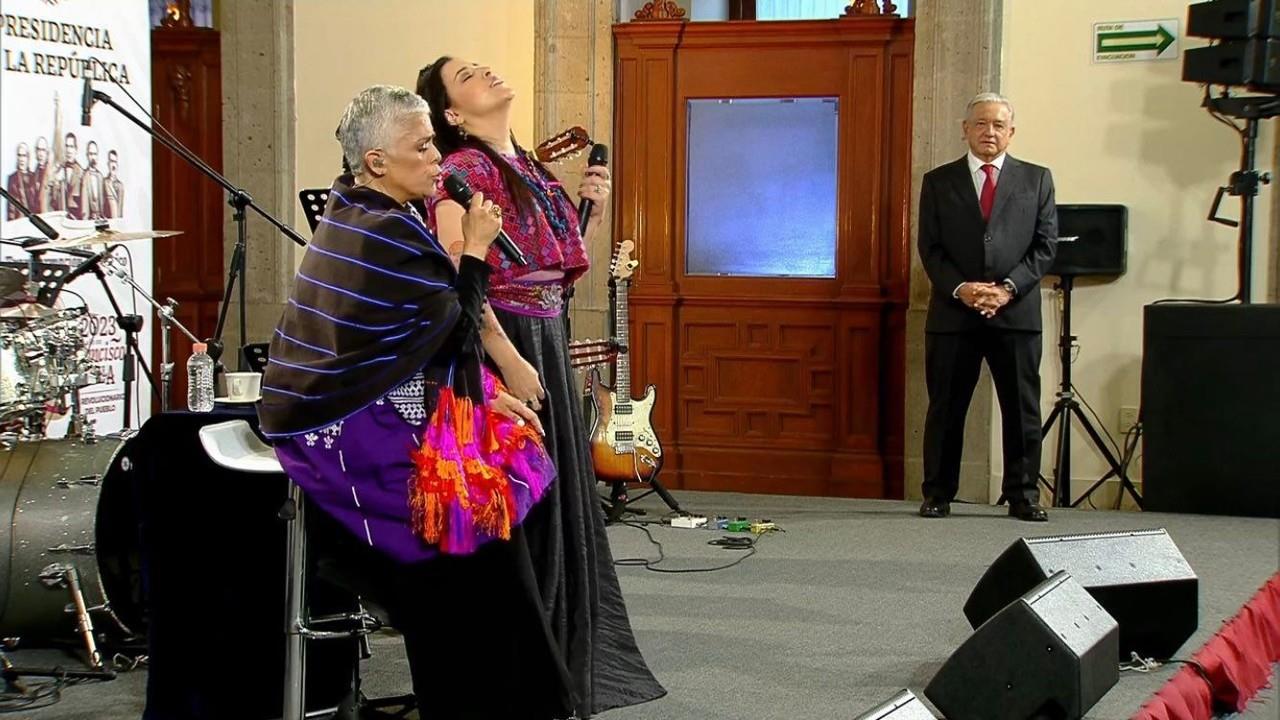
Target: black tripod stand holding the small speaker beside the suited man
1068,408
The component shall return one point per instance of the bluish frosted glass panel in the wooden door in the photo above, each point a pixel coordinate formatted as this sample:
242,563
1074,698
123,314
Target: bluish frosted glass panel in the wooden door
762,188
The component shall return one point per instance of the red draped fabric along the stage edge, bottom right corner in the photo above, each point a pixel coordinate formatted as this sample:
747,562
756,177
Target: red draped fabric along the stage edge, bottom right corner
1237,660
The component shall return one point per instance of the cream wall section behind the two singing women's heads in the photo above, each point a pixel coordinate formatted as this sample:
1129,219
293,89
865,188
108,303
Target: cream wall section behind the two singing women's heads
342,48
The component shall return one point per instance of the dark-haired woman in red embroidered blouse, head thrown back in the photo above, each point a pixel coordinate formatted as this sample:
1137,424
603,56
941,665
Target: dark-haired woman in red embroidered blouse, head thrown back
524,335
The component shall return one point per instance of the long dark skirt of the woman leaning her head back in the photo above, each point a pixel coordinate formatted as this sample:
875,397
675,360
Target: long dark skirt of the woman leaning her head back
569,550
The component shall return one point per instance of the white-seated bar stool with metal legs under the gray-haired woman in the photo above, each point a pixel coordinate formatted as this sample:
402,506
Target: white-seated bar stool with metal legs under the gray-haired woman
235,445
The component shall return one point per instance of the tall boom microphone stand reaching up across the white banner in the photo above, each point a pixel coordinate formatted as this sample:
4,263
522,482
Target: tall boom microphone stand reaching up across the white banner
240,202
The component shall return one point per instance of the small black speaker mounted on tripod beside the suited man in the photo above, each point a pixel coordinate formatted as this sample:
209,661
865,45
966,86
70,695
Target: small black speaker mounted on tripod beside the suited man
1092,240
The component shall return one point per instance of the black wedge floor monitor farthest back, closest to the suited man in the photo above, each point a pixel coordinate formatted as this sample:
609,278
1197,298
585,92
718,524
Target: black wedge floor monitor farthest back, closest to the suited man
1140,577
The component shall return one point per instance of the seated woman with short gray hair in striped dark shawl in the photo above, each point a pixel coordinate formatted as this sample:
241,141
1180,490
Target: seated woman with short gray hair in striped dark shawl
382,412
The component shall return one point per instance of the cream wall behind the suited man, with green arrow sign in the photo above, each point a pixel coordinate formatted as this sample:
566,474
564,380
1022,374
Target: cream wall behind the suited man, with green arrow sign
1136,135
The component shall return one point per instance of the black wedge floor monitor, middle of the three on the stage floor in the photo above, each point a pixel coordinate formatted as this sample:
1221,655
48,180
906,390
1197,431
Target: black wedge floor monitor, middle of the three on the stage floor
1050,654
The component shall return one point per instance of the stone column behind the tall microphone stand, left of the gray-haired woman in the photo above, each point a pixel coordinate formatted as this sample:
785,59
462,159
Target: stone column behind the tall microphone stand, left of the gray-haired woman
259,119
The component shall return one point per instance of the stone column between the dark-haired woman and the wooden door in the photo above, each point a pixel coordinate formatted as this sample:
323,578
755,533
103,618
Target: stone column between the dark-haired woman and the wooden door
574,86
